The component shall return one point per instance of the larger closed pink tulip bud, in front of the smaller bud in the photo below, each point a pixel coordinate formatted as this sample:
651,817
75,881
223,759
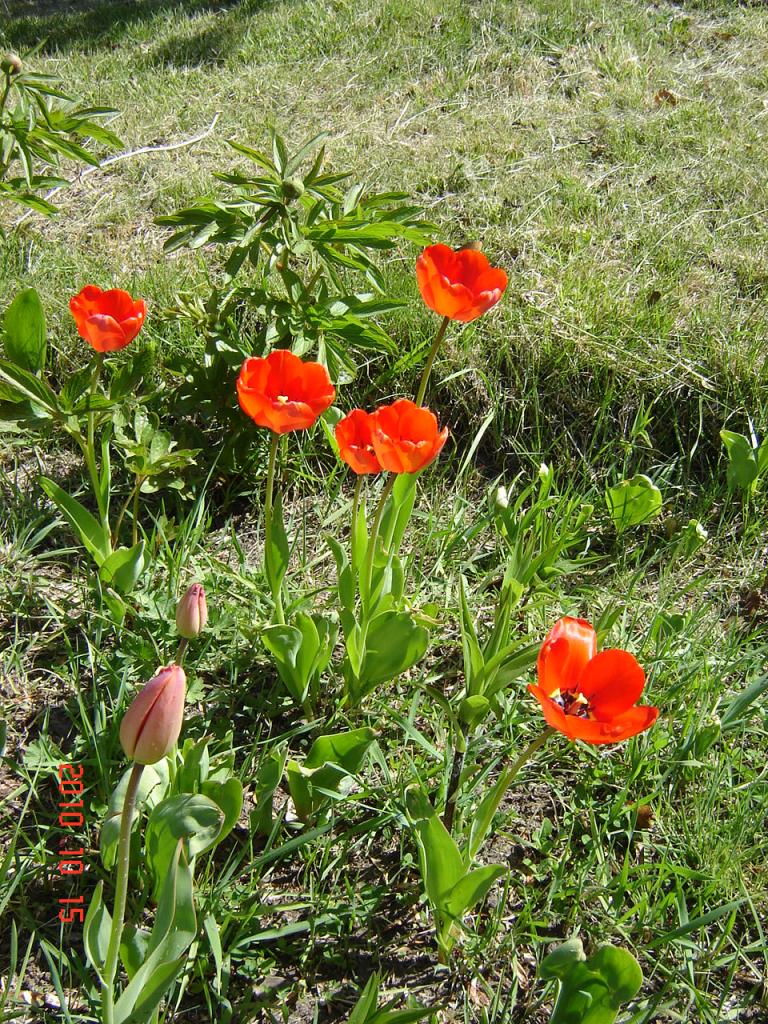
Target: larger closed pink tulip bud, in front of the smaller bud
152,724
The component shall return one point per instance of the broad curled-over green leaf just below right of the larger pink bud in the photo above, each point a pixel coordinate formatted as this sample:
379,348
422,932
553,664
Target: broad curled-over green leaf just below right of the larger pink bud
191,818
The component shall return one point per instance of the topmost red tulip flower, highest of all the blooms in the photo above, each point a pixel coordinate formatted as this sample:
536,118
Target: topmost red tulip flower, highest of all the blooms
461,285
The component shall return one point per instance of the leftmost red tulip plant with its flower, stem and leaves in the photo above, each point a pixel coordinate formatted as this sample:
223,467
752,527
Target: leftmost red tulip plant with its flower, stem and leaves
96,419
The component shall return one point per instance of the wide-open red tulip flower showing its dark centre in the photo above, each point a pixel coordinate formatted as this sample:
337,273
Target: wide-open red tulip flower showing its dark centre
587,696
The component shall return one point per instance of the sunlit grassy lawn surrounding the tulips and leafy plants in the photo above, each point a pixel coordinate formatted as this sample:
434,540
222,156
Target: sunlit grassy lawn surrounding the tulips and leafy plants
613,158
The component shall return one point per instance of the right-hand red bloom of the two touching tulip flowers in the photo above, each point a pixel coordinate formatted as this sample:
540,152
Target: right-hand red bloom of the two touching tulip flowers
406,437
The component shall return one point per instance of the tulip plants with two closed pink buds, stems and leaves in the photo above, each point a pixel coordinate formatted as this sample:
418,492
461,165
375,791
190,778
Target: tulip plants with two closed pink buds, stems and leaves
193,801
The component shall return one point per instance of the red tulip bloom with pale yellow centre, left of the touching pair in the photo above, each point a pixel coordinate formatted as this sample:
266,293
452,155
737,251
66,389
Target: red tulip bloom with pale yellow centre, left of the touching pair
284,394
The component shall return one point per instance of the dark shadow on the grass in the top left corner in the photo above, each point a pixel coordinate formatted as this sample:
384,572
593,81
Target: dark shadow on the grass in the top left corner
88,25
